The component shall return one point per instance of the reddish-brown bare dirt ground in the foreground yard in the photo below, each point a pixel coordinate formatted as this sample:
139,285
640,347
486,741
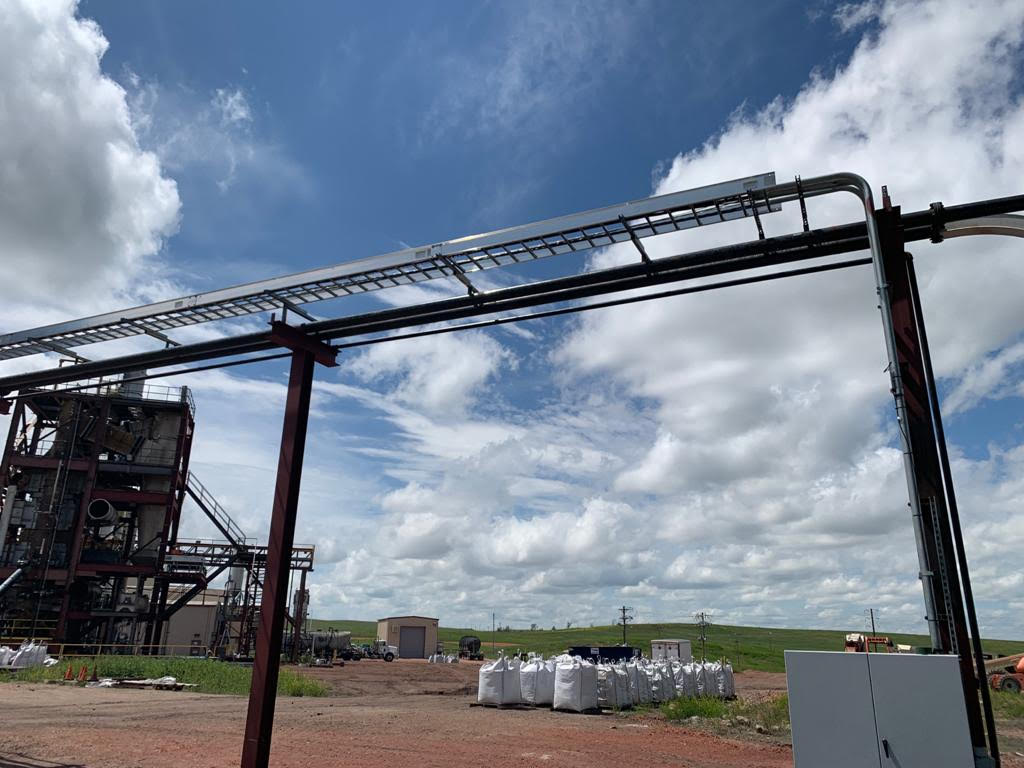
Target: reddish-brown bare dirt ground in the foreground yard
378,713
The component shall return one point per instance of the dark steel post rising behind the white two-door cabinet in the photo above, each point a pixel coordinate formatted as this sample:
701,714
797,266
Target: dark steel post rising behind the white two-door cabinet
941,567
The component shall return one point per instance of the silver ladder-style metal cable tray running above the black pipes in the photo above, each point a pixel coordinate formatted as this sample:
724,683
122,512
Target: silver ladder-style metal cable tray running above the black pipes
576,233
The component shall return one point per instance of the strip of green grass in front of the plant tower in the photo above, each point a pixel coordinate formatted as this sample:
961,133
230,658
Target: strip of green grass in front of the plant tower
211,676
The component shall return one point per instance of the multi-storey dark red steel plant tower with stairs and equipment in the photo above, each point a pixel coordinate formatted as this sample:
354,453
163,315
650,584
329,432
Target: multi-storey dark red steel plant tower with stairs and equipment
94,483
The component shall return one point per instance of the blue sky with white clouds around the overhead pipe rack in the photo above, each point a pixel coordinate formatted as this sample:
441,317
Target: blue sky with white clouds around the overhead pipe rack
730,452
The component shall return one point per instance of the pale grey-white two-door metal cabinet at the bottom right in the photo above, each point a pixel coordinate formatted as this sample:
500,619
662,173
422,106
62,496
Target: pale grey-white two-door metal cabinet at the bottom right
891,711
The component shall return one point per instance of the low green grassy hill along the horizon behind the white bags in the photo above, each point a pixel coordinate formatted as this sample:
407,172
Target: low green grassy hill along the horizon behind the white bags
747,648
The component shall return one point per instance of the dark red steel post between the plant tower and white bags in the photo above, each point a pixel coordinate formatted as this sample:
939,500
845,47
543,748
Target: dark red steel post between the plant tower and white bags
263,696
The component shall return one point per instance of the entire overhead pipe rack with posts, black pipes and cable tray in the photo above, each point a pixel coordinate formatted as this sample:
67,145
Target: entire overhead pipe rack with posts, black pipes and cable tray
943,562
